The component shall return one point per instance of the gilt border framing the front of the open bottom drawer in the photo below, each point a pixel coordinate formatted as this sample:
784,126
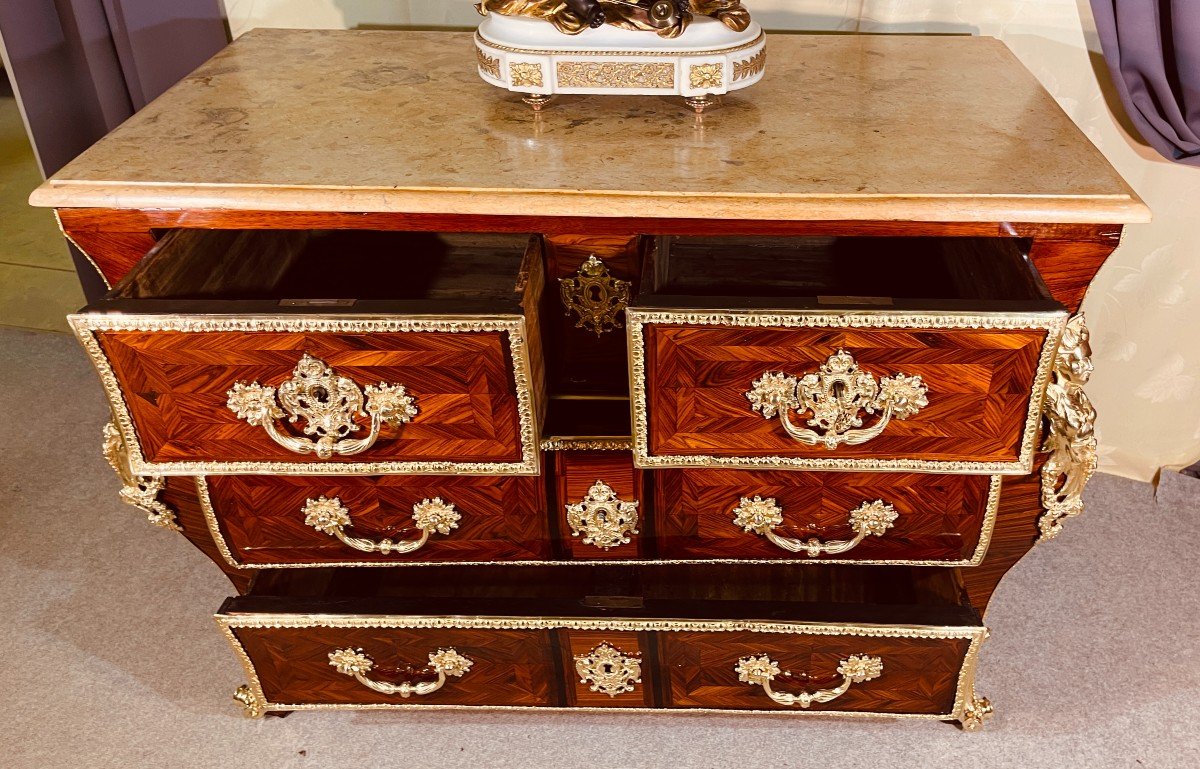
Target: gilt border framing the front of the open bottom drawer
256,705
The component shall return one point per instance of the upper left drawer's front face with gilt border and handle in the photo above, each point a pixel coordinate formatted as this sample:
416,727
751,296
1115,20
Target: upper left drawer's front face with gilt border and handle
310,396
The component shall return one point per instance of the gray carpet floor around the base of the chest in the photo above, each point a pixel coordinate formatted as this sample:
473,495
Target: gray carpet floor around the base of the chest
111,658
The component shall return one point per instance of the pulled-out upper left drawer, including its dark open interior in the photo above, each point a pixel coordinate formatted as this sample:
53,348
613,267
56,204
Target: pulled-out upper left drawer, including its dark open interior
325,353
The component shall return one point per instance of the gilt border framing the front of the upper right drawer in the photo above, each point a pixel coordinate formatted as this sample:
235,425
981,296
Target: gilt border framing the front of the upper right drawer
638,319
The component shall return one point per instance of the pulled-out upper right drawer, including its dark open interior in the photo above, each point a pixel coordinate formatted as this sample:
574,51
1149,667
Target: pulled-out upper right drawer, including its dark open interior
842,355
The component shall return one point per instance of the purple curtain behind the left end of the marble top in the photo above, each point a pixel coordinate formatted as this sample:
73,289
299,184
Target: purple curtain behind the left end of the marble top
81,68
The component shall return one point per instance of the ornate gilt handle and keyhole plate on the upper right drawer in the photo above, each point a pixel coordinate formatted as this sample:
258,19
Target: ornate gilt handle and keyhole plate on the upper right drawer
837,396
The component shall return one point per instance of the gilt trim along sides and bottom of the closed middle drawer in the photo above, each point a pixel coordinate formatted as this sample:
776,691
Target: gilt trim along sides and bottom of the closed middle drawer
981,551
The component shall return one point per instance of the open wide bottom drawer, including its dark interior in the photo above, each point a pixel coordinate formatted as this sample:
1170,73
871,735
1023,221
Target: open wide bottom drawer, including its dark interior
751,639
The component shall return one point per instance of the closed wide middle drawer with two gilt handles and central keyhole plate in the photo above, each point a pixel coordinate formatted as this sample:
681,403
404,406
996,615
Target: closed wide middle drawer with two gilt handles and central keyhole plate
596,507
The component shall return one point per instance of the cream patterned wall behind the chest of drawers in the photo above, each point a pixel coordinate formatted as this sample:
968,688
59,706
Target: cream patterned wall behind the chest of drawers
1143,307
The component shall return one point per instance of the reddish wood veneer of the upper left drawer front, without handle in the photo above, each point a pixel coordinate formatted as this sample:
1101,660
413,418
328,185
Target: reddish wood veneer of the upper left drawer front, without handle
176,386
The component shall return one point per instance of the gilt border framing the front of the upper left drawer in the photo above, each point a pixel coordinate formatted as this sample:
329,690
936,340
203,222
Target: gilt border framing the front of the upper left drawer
88,326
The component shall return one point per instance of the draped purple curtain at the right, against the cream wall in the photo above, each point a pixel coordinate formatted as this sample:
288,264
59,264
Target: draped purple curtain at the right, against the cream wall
1153,49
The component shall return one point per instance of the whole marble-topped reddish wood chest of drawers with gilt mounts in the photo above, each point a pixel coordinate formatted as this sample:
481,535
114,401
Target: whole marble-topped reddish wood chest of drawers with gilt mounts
607,406
